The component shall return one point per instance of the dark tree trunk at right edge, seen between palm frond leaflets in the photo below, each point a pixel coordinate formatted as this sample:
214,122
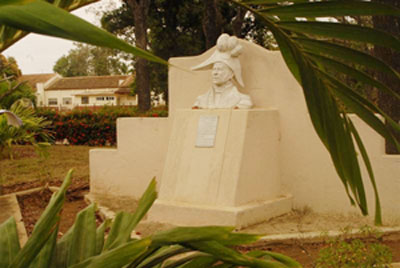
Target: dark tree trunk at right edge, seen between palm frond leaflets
387,103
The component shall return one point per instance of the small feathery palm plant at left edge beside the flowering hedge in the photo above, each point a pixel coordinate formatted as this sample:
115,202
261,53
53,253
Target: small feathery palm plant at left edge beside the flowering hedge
33,131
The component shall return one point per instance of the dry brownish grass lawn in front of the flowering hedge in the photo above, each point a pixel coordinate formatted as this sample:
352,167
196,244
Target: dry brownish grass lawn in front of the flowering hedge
27,166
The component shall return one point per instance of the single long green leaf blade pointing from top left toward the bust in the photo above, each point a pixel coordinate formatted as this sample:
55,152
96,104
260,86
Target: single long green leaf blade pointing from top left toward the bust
53,21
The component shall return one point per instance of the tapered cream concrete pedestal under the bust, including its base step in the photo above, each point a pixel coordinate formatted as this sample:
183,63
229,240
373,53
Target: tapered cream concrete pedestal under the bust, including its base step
234,182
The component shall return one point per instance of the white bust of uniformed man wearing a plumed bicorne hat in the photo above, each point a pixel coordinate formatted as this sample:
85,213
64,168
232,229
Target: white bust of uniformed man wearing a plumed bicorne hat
226,68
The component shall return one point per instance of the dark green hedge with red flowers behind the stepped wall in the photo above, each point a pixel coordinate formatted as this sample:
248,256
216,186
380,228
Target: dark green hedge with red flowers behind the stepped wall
92,127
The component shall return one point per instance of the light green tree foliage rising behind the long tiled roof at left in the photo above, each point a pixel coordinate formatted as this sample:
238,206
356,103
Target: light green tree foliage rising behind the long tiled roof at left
85,60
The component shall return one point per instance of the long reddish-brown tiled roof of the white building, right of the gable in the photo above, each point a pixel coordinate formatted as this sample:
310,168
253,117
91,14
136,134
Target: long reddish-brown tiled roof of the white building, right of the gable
90,82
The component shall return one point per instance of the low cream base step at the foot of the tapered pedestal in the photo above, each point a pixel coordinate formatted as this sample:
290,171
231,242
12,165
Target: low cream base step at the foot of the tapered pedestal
186,214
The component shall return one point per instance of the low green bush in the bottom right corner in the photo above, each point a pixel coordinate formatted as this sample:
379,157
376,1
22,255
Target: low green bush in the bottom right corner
354,253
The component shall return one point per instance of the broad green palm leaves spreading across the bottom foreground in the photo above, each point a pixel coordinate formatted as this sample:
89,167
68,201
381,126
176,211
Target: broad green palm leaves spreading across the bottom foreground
84,245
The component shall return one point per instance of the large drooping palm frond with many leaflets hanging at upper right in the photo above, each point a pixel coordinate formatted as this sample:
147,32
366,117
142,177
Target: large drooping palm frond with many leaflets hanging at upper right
311,56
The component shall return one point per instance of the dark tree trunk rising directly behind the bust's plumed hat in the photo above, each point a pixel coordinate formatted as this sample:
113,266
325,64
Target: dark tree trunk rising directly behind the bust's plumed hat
212,23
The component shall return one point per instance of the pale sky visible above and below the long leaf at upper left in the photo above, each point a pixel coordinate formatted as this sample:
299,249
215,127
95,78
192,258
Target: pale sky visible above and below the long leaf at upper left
38,54
